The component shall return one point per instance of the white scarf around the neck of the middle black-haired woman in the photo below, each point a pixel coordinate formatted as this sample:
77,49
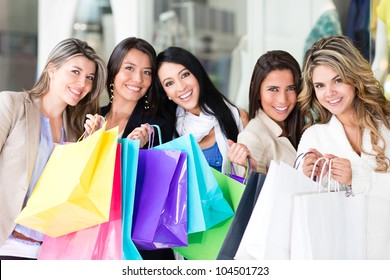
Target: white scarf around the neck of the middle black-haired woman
198,126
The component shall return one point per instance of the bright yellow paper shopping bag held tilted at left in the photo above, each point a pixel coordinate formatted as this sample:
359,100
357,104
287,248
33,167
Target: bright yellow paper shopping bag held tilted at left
74,190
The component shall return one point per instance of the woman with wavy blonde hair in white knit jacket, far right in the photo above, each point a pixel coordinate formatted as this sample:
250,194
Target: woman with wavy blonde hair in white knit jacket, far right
349,121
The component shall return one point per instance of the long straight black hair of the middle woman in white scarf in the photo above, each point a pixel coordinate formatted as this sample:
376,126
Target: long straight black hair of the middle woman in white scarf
211,100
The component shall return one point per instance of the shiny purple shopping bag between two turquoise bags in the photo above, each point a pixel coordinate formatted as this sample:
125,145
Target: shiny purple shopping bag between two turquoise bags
160,207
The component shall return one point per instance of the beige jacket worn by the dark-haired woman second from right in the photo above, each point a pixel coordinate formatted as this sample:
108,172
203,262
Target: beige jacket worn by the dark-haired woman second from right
263,138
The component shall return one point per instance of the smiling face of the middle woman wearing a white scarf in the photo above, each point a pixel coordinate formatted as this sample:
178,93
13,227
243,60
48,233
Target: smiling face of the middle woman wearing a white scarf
180,85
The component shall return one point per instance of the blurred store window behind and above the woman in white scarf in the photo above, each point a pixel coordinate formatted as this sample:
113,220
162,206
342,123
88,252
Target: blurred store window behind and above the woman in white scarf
211,30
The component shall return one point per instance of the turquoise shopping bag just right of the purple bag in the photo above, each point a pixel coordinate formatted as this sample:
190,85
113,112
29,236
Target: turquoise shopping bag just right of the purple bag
206,203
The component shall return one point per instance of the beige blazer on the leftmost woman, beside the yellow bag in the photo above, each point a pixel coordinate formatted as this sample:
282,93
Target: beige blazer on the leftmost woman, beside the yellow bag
19,142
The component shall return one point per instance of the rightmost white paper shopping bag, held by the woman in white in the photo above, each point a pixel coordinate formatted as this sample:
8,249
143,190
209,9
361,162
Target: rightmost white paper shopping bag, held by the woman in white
328,226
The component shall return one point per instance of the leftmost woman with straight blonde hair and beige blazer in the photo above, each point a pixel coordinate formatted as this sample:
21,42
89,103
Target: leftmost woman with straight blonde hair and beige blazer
31,122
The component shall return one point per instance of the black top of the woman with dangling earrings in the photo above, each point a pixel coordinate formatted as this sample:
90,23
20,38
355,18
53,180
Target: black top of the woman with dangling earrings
141,116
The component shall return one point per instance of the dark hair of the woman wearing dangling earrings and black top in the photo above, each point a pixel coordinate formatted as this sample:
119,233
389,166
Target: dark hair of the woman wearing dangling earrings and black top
116,59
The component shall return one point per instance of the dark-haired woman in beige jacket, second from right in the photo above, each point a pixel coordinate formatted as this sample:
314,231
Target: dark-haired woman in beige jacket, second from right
275,125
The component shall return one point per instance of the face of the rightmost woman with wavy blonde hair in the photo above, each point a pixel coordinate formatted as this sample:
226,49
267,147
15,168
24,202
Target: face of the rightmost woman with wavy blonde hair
332,93
